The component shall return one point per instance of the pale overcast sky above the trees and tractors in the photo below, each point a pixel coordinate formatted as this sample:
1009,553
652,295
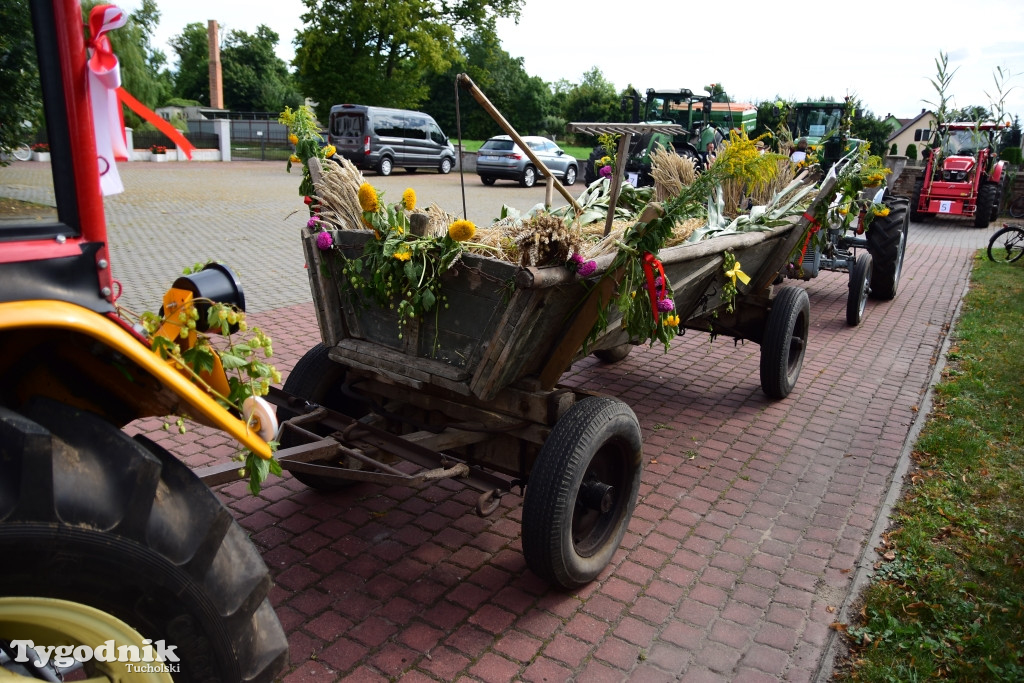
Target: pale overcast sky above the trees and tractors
758,51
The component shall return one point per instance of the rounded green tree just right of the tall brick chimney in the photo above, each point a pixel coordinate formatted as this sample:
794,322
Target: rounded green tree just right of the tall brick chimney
255,79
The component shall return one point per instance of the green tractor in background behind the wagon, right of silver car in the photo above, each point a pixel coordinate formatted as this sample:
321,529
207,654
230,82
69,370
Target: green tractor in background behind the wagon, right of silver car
706,119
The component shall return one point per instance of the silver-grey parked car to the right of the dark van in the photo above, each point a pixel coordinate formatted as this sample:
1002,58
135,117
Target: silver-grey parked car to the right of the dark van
501,159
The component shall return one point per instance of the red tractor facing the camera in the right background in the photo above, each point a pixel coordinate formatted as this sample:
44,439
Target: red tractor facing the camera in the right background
962,177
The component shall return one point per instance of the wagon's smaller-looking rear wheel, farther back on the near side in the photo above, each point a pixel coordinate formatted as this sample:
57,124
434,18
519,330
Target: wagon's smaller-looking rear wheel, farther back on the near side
785,341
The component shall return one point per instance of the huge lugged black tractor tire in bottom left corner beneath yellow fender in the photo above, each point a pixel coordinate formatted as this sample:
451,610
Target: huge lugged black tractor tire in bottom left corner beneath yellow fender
98,519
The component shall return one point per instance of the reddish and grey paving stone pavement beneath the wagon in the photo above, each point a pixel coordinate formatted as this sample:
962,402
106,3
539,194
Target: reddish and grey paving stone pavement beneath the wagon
755,517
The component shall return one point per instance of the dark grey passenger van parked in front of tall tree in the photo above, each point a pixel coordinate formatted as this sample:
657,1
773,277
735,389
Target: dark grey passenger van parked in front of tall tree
381,139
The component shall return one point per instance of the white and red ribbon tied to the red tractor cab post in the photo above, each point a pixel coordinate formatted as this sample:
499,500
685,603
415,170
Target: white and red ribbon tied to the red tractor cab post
108,96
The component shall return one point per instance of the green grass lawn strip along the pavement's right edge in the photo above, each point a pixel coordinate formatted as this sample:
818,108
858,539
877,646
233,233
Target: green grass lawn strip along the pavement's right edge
947,601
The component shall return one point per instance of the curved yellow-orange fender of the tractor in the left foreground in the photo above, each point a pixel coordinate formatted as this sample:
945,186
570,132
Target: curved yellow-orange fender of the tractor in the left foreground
63,316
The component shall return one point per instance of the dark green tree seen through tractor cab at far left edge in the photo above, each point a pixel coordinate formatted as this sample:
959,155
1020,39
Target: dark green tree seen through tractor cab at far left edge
22,100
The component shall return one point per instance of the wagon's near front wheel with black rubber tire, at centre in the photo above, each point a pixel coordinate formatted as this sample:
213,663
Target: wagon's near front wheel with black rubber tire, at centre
582,492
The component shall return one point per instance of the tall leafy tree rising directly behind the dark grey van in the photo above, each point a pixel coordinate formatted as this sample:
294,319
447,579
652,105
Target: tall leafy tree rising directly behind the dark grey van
382,52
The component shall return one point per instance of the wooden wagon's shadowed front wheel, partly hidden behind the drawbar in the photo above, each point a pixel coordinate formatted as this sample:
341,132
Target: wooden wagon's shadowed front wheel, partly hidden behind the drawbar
319,379
